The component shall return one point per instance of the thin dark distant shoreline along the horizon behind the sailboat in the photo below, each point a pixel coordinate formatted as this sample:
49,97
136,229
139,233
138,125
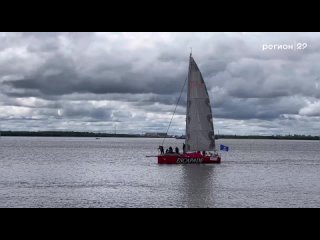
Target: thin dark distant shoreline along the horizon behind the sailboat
106,135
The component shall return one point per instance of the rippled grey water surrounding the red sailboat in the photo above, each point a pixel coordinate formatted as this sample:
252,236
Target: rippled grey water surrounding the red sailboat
114,172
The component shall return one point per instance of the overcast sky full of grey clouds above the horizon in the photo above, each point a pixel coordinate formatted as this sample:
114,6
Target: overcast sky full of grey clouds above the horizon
259,83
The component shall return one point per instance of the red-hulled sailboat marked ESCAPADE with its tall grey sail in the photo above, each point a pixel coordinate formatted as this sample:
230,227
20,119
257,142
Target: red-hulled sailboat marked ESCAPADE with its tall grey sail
200,146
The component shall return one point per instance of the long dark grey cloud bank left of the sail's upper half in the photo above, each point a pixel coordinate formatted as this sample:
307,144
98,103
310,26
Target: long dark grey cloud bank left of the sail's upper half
59,76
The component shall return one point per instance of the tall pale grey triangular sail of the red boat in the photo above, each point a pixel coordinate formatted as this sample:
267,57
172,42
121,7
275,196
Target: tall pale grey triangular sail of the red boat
199,131
